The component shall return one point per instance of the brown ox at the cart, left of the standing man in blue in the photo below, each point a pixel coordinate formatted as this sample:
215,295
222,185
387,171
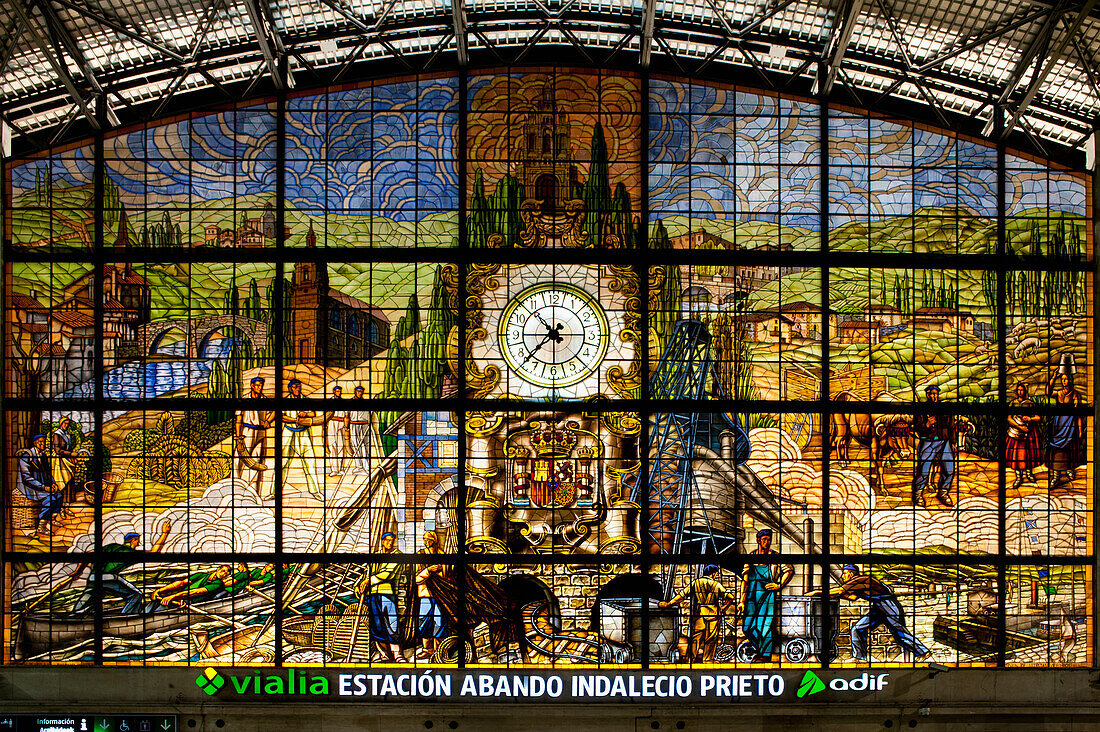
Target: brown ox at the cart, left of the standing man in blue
888,438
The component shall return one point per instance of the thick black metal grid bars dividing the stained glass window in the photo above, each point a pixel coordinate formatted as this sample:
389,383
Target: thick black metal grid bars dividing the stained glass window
641,260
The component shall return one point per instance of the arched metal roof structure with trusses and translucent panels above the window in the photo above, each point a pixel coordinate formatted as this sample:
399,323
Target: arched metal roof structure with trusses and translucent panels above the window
999,68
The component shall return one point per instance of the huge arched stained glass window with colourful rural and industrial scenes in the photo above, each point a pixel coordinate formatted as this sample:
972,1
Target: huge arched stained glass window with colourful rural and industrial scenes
551,367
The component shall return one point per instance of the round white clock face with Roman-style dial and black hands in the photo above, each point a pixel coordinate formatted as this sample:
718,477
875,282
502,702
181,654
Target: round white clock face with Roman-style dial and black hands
554,335
